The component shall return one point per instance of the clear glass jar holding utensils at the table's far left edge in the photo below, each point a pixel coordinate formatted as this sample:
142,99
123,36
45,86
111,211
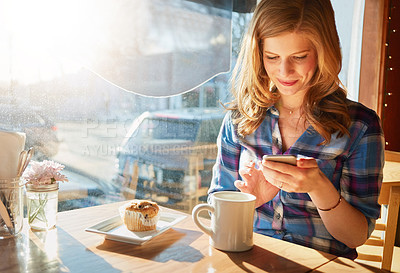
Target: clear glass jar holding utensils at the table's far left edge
11,207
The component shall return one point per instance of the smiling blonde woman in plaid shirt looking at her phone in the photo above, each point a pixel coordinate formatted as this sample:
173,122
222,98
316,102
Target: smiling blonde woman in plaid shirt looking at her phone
288,100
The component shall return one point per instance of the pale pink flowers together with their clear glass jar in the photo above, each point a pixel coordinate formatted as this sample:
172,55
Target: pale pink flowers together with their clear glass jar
42,193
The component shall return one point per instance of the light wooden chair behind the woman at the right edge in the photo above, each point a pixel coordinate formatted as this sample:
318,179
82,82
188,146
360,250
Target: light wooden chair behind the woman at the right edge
379,247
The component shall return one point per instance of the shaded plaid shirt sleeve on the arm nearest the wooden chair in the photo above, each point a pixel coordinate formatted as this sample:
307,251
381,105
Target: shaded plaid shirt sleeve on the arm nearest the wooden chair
363,171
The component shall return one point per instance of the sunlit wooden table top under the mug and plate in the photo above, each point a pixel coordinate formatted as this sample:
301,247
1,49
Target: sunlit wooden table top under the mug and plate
183,248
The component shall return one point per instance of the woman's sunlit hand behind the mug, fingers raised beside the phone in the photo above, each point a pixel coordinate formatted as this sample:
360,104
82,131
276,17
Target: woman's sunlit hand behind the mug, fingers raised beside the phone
256,184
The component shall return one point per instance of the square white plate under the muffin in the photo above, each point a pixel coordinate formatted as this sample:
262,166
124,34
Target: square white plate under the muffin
114,229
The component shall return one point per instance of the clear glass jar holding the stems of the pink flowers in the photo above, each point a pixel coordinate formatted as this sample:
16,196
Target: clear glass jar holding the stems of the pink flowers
42,203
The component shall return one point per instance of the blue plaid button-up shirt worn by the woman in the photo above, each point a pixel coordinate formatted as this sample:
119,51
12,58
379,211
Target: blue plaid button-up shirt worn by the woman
352,163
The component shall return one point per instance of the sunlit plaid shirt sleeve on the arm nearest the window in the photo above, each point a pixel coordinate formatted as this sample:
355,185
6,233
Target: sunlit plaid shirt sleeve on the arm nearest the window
225,170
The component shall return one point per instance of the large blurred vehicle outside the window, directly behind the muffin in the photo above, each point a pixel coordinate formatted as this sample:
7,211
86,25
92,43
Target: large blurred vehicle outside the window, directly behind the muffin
167,156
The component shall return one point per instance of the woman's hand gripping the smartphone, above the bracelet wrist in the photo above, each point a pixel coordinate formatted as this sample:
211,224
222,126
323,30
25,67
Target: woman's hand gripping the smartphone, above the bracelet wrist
306,177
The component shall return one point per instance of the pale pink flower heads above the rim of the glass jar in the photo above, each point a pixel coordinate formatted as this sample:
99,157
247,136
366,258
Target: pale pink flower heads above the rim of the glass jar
44,173
